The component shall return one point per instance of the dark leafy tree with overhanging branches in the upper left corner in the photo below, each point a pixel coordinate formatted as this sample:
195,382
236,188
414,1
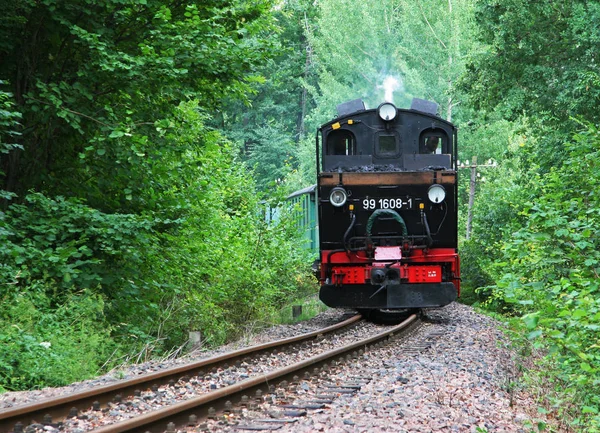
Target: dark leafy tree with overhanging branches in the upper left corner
92,80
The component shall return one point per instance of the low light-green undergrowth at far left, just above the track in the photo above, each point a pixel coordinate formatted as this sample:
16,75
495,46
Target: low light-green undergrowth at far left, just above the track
41,346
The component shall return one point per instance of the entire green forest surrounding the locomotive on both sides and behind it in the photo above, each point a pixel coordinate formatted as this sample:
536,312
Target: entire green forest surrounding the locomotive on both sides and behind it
140,141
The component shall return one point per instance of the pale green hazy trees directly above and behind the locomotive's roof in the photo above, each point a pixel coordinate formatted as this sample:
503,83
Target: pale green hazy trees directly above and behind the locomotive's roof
421,45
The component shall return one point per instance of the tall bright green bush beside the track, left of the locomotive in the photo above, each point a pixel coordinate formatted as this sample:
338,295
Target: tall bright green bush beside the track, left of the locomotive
224,264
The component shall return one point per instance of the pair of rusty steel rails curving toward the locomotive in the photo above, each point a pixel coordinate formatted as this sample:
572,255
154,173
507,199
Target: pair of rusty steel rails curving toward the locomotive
189,411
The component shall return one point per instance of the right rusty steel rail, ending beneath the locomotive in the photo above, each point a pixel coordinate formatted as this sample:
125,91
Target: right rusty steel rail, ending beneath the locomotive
179,413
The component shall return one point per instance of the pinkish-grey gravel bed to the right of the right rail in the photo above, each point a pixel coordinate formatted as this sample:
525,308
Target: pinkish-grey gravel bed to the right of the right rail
464,381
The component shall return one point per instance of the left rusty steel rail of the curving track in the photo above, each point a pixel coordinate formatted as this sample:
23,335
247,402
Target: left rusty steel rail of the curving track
59,407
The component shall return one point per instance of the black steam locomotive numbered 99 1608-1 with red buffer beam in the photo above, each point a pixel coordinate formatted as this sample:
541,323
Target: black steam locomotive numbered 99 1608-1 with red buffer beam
387,208
